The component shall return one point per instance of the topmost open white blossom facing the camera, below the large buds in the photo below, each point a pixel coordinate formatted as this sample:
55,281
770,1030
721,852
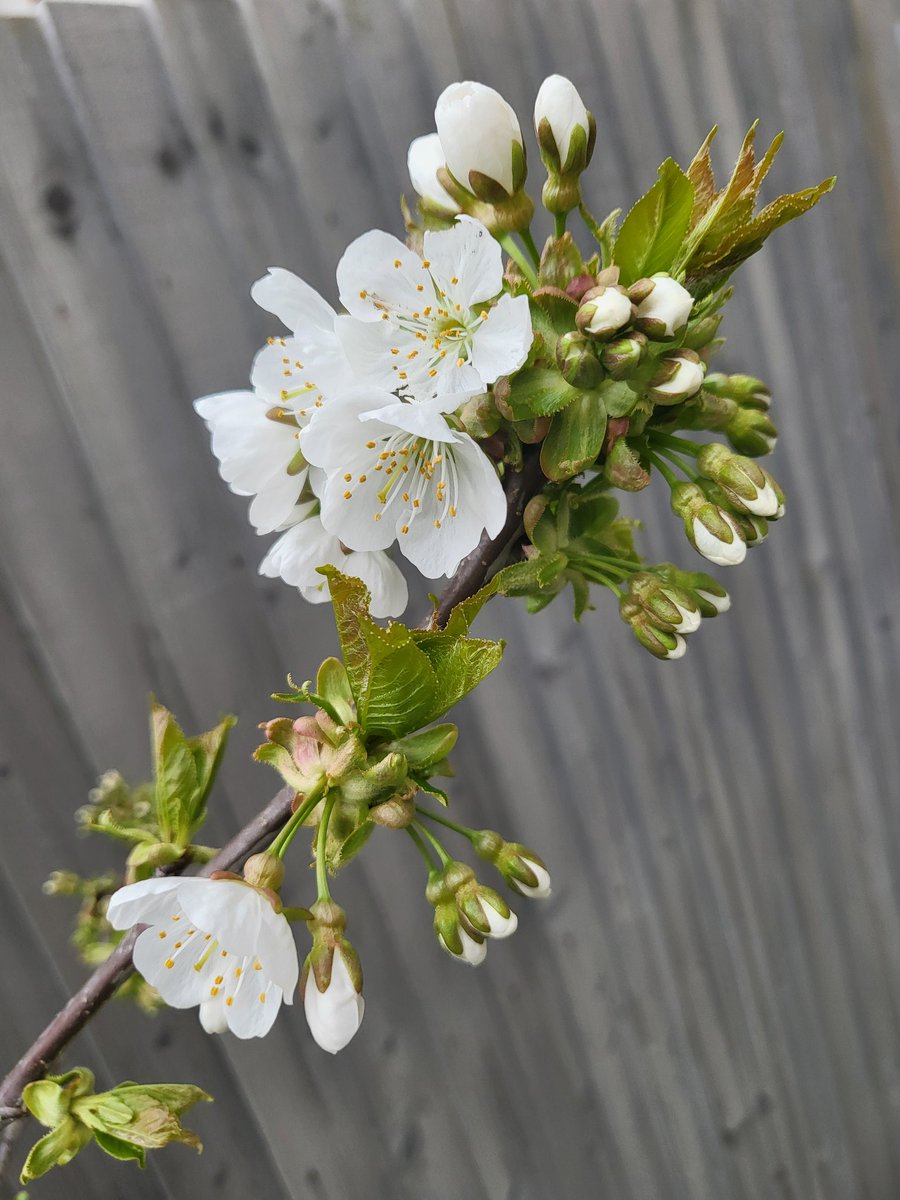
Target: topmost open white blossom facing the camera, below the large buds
427,326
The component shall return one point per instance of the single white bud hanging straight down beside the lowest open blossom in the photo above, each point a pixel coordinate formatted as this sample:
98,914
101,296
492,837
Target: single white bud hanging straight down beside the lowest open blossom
332,981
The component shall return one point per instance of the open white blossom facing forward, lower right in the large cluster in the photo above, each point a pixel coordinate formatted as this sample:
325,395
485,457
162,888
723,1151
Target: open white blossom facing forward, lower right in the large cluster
399,471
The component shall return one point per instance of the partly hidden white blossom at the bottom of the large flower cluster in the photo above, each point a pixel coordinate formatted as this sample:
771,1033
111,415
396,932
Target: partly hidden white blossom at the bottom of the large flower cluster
307,545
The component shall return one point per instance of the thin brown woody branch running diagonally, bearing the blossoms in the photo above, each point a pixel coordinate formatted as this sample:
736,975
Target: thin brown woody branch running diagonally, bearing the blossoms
111,975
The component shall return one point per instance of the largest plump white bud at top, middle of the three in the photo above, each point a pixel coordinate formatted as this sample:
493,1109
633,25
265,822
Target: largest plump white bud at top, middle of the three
482,141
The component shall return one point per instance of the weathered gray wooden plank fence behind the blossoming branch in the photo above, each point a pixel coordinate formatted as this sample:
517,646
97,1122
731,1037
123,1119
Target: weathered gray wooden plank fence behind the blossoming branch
709,1007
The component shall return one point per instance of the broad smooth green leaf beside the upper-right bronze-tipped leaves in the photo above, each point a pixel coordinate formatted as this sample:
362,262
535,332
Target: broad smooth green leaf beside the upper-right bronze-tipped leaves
653,232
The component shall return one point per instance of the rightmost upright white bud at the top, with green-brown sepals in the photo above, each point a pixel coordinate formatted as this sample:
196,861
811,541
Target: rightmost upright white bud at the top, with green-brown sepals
566,134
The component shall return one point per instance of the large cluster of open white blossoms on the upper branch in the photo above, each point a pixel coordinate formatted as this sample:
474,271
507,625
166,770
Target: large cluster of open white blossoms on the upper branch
346,440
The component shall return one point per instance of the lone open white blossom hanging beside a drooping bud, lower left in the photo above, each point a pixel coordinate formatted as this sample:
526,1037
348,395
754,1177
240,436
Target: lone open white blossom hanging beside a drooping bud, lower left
214,944
